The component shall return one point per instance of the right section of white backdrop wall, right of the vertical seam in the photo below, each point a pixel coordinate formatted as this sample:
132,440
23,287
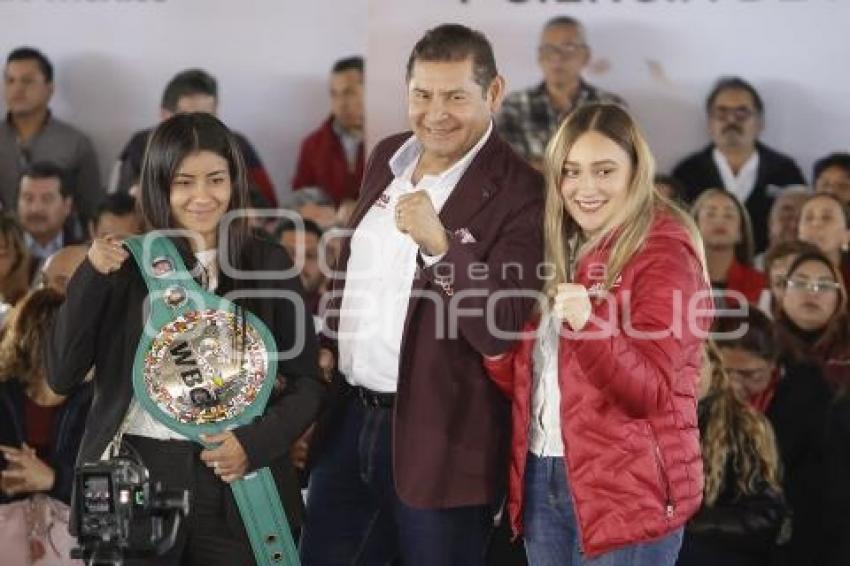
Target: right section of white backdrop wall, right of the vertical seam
661,56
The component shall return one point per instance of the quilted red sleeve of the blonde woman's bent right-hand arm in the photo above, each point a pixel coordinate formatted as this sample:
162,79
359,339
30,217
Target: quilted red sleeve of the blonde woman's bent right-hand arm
636,349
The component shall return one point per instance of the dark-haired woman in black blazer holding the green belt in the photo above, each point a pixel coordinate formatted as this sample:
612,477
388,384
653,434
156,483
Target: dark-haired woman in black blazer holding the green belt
193,174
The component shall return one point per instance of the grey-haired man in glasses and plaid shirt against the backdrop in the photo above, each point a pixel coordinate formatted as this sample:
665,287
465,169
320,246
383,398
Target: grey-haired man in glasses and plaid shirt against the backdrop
530,117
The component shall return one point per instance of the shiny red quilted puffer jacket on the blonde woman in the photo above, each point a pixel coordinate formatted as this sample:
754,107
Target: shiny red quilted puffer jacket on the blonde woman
628,400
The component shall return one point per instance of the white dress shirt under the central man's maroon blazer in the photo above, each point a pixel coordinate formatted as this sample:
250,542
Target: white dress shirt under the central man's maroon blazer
380,273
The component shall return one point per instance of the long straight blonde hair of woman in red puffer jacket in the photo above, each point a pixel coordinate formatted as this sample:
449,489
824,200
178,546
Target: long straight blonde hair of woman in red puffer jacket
629,228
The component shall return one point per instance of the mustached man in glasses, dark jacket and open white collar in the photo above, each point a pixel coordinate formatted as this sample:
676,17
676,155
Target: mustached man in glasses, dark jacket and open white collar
736,159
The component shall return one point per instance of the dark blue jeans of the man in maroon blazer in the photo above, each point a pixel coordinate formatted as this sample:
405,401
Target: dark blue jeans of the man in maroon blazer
354,516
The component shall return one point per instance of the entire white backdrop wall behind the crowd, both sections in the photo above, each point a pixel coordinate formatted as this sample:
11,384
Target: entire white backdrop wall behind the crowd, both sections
113,57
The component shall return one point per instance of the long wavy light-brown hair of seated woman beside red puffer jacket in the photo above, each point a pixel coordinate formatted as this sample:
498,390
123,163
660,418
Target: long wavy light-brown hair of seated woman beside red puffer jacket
734,433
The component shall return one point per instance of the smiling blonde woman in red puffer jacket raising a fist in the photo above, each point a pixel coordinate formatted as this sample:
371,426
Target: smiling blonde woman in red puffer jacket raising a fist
606,464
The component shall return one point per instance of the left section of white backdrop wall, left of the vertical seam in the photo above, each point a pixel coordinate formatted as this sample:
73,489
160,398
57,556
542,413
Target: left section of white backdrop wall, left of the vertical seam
113,58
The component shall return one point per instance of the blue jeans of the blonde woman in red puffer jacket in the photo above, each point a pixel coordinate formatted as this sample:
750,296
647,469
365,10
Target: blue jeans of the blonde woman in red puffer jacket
551,526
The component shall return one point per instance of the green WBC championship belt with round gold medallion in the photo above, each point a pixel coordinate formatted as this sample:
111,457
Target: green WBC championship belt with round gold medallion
205,366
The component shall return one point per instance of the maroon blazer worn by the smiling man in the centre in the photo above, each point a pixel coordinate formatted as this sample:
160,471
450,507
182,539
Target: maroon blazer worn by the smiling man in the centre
451,424
